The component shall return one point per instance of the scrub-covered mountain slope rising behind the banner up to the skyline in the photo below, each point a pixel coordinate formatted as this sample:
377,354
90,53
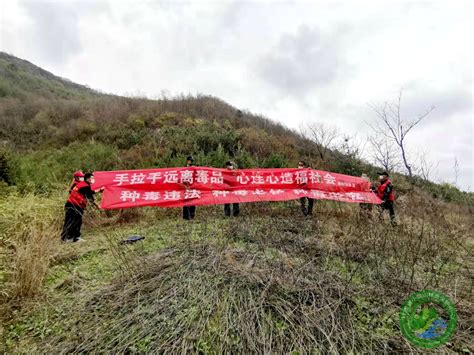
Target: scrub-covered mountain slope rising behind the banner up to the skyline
69,126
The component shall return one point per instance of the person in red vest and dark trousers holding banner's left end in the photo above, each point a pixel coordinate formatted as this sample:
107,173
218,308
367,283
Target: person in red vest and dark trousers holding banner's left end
76,203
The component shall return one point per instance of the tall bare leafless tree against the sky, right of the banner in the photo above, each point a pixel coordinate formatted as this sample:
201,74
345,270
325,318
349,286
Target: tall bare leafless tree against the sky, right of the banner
393,126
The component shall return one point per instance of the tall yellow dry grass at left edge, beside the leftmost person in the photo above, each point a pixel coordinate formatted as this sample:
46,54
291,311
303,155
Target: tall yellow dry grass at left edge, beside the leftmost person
30,227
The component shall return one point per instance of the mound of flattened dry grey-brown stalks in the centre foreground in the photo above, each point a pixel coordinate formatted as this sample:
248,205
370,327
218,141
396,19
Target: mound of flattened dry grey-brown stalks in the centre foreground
212,299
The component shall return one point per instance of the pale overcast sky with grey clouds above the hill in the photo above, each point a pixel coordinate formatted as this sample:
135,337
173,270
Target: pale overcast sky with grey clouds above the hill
292,61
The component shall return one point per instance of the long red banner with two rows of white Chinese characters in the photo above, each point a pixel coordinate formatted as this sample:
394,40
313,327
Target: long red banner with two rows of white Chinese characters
175,187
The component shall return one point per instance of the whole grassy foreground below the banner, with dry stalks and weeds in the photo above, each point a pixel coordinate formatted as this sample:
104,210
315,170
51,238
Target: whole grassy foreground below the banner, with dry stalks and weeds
269,281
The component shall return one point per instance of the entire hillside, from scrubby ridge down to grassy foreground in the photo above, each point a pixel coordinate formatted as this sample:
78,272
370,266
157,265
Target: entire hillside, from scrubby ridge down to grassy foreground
270,281
